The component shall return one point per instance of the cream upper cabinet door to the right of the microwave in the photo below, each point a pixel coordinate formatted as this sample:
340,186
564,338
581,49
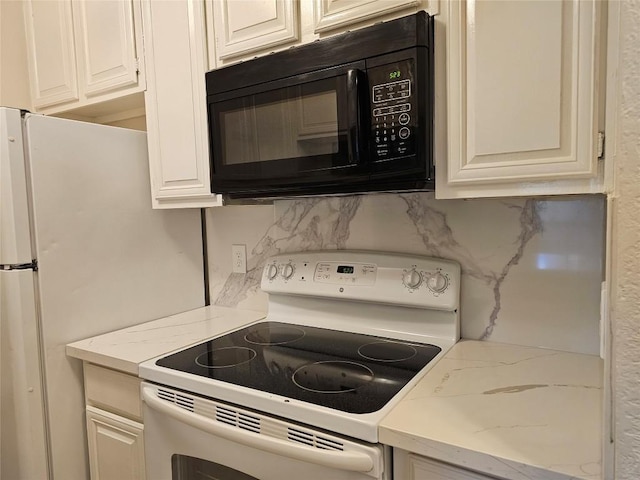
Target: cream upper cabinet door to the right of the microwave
522,93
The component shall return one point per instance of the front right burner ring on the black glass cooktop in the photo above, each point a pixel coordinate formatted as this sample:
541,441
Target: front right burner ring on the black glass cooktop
332,376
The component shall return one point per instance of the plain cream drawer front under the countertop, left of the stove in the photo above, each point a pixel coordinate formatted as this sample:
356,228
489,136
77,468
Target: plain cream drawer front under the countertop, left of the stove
113,391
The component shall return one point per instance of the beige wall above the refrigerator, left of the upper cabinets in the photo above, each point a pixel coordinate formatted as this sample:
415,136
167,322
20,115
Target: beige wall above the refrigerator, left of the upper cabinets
14,73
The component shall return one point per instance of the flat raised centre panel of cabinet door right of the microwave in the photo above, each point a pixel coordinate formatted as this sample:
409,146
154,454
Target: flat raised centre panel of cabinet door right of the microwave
503,112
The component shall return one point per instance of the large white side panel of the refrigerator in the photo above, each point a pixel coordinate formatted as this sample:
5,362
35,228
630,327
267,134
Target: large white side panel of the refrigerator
106,260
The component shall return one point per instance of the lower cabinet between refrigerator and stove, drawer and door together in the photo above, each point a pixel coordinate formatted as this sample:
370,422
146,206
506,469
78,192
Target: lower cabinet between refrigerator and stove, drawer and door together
115,432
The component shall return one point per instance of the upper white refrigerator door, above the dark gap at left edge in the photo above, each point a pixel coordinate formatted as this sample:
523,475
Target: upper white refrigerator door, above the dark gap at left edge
15,243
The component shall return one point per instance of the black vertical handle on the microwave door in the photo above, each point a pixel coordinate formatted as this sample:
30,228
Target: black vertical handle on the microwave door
355,114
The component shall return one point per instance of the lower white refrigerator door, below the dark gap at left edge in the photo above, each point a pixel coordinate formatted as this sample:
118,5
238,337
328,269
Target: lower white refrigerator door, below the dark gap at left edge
22,423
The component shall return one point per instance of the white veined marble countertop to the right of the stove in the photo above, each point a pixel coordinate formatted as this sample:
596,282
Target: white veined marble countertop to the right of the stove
514,412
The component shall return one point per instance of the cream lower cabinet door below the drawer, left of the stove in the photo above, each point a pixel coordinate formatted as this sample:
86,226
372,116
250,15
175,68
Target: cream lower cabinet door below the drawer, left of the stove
116,446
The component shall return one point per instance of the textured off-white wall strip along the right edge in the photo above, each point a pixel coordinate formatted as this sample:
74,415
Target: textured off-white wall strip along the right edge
626,252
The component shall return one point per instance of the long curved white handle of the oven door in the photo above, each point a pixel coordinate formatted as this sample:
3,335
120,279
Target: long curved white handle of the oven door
349,461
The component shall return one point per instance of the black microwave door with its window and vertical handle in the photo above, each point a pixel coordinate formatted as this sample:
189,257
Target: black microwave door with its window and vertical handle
291,134
